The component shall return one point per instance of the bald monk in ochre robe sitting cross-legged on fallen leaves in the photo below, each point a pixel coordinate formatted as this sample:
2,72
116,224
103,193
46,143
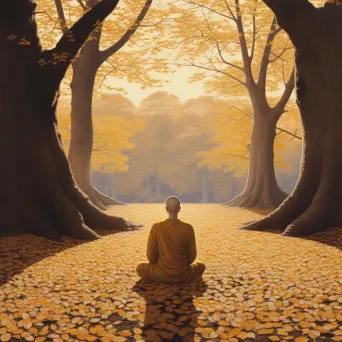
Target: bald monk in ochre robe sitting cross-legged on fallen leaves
171,250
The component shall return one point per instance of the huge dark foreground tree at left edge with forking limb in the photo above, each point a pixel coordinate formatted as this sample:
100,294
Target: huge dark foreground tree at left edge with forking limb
39,194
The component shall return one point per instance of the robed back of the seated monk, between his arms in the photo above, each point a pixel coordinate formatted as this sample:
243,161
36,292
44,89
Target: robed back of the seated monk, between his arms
174,239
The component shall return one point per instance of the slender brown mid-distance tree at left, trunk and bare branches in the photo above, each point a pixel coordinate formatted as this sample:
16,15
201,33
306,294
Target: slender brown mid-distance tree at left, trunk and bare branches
85,69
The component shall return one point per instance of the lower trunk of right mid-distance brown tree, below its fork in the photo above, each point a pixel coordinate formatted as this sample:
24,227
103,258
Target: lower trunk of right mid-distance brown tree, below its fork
262,190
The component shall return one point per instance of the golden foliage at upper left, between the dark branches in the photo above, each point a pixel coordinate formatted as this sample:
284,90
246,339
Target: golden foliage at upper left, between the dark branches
134,62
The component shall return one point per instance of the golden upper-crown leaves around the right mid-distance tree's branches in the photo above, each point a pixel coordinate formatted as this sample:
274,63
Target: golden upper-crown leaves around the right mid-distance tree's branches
206,35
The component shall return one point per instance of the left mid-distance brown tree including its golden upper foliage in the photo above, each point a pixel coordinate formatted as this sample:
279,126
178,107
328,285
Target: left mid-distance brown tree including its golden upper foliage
99,58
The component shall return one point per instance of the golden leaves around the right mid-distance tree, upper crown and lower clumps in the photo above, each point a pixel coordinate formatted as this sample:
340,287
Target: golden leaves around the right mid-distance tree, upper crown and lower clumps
236,47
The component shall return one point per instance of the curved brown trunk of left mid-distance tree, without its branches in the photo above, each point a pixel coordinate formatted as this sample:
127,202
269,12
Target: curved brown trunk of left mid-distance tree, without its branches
81,142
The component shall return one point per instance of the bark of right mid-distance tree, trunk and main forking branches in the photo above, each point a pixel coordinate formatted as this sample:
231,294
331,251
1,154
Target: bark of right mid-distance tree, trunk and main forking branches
261,190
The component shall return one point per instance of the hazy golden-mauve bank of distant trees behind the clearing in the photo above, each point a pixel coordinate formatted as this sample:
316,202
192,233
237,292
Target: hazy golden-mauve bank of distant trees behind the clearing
181,149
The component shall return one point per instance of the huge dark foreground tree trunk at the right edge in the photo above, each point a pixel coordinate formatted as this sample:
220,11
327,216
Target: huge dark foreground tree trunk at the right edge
315,203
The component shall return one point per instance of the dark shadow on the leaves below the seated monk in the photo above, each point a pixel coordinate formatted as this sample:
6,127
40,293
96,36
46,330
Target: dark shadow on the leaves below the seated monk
170,311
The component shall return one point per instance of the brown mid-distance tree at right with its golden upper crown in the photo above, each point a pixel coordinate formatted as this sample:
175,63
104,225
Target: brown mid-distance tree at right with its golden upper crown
240,51
